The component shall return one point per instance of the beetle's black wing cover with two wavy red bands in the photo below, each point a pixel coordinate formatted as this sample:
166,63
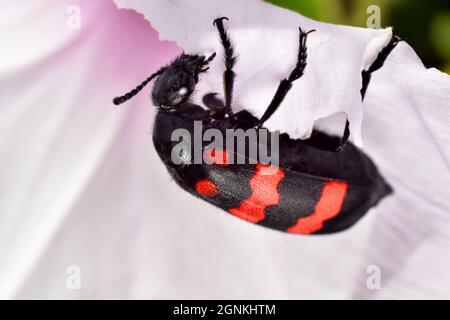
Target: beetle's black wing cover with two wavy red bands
284,200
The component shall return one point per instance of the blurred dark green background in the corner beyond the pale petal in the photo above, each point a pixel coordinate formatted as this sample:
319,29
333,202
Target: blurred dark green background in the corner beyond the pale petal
425,25
